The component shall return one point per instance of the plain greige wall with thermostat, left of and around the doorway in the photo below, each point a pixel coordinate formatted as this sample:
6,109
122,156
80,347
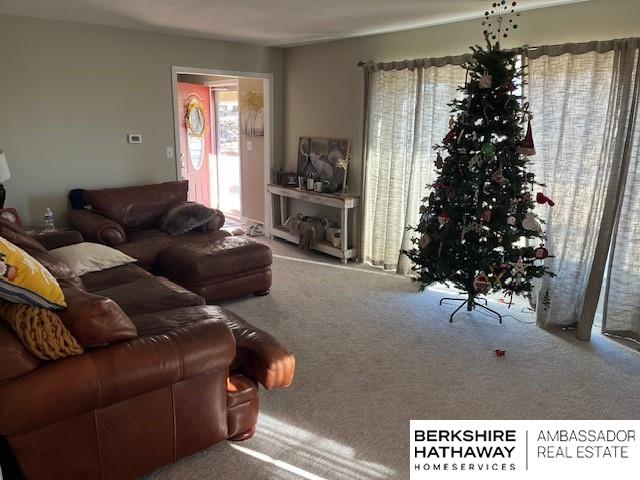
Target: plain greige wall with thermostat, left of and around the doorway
69,94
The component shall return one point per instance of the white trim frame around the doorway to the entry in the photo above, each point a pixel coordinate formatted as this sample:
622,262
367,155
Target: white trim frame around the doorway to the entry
268,125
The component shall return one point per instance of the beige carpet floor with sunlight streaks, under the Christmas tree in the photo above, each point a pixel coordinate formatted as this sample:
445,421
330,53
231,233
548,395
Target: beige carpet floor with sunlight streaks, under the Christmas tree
373,354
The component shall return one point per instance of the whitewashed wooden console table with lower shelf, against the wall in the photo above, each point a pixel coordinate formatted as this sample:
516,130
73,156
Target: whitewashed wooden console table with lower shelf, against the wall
347,204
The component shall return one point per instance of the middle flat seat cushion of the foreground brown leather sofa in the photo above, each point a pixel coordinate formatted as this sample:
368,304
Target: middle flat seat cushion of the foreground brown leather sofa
148,295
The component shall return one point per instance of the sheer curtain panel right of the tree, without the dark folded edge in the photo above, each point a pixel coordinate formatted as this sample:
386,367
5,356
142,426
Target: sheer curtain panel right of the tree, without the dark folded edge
569,96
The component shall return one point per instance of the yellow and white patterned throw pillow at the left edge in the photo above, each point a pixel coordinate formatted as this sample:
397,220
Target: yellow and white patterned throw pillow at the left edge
25,280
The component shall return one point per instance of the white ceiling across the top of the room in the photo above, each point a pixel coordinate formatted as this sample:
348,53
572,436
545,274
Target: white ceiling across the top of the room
262,22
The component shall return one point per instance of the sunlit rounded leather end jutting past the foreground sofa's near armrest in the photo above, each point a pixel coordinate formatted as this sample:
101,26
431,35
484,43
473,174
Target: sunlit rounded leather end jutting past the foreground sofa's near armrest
261,356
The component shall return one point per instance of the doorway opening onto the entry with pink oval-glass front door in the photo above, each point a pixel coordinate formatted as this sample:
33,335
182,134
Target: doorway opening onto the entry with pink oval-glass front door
223,138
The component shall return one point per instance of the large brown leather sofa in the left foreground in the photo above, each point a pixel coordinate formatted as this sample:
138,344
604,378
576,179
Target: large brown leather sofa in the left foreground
163,375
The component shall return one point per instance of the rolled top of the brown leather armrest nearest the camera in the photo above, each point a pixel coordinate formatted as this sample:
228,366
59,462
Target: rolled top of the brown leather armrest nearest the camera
102,377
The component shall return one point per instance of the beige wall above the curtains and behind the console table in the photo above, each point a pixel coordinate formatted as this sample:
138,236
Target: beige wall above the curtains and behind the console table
324,85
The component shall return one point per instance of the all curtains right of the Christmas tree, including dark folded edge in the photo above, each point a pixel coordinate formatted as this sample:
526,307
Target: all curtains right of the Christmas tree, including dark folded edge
586,101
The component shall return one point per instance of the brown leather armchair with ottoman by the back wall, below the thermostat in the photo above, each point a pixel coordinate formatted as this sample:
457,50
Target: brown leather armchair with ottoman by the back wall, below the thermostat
127,219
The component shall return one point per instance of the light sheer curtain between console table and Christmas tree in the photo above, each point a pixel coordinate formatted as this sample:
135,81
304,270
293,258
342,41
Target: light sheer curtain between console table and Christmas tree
407,114
